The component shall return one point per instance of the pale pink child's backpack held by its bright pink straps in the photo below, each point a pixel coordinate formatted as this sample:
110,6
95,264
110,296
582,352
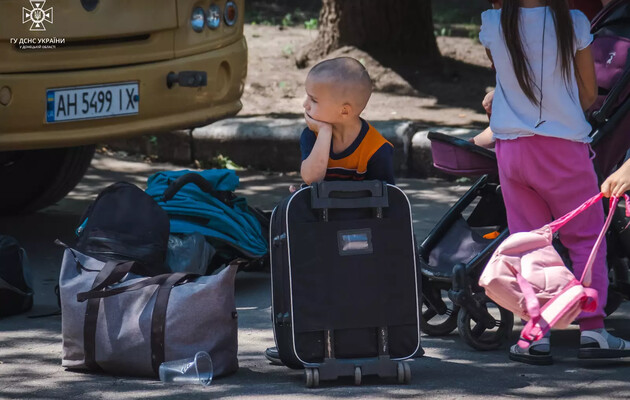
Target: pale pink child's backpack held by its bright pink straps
527,276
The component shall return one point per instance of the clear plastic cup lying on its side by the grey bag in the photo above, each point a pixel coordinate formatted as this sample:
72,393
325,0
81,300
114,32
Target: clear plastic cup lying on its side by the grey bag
195,370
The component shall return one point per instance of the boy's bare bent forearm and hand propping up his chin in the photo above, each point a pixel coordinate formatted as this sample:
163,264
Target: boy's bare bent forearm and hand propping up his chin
314,166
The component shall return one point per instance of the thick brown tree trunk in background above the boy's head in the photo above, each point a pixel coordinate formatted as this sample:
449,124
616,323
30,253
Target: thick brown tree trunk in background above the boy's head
400,29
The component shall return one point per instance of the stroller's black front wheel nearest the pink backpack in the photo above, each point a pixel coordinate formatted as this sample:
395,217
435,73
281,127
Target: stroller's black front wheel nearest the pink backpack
482,337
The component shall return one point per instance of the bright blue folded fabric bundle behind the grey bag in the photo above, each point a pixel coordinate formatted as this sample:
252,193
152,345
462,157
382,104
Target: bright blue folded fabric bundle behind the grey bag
222,222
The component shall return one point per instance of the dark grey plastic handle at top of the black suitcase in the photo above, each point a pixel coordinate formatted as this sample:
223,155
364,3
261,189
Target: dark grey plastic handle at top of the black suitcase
338,194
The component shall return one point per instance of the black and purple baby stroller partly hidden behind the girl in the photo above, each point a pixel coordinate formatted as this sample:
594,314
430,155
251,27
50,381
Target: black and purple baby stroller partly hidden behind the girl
457,249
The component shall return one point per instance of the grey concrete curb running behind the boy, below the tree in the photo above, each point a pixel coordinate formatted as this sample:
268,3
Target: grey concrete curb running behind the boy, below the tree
266,143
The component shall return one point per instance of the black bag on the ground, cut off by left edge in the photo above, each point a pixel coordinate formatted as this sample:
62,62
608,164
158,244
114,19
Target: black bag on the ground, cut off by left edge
16,295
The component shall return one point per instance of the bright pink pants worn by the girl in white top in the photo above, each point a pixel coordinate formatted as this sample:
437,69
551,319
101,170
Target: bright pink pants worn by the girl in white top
542,178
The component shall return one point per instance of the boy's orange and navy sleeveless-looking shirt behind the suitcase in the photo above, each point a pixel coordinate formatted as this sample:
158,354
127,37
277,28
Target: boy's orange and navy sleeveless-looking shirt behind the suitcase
369,157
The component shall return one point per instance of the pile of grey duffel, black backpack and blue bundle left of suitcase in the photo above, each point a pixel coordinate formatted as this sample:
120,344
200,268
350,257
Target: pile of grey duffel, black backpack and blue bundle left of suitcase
136,290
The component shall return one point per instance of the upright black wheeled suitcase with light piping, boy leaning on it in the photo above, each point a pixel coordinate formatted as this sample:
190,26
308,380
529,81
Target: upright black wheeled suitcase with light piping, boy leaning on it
345,289
